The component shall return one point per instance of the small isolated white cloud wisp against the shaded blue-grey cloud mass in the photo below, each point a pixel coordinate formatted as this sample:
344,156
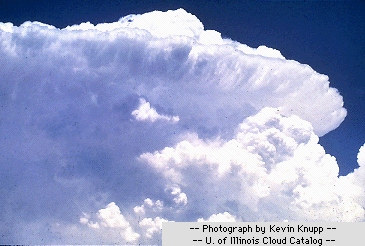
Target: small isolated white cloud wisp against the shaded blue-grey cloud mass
146,113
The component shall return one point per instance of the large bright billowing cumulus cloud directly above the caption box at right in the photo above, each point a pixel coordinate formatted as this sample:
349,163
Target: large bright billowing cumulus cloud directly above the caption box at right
274,163
